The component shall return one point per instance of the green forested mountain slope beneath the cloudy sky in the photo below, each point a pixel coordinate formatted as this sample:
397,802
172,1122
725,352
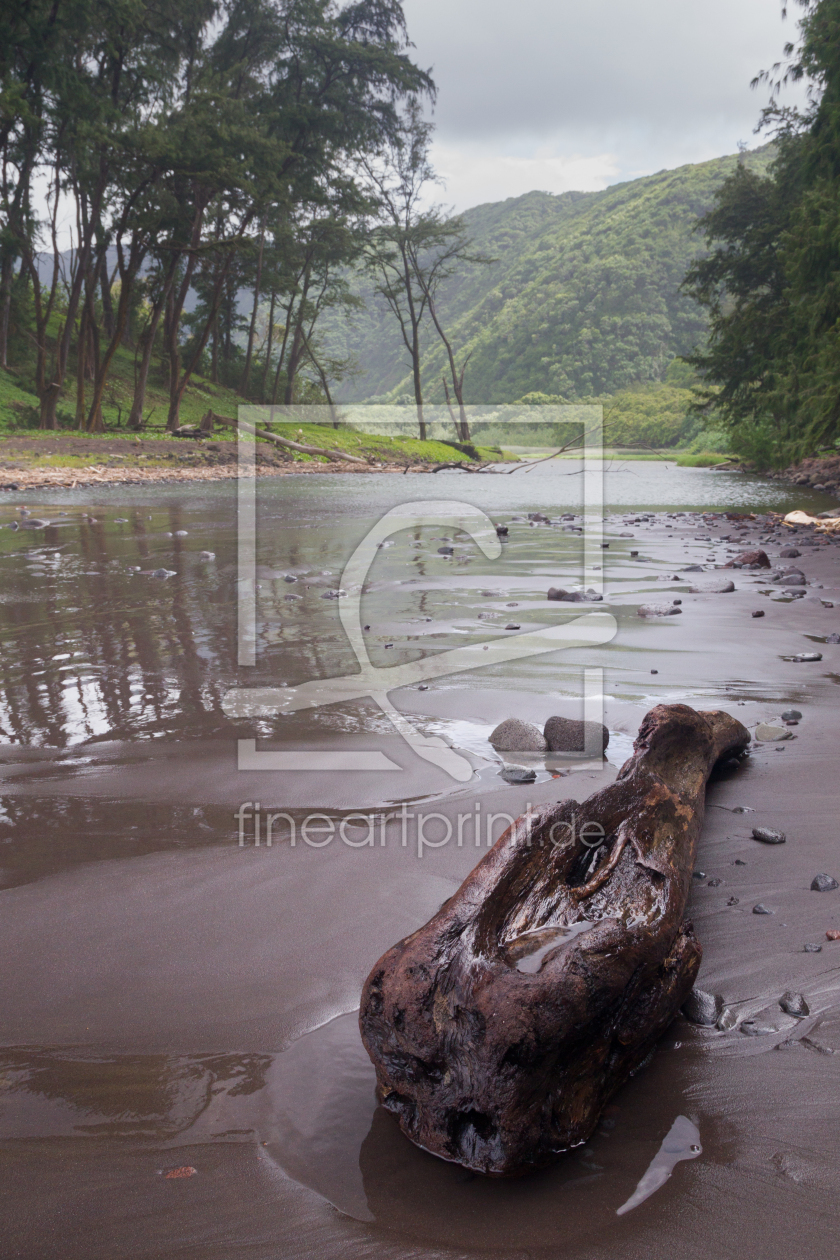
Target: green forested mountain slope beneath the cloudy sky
582,301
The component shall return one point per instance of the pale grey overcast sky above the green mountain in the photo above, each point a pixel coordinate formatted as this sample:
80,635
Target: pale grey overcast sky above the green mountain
559,95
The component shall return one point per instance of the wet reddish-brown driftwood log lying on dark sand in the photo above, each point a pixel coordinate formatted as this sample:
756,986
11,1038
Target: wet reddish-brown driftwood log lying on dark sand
502,1028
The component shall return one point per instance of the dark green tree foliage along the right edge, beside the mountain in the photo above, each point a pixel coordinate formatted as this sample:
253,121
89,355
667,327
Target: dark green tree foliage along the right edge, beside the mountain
771,283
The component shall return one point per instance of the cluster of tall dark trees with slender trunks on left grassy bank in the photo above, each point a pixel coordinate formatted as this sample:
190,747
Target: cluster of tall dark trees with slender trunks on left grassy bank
198,148
